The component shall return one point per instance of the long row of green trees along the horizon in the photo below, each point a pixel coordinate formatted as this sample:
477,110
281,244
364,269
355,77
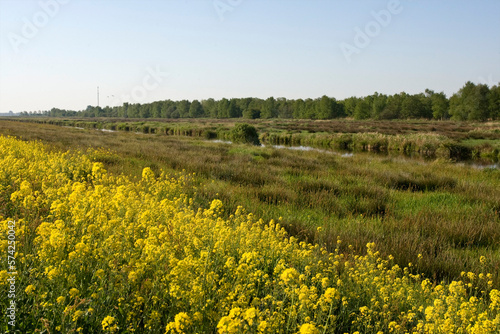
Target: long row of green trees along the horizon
472,102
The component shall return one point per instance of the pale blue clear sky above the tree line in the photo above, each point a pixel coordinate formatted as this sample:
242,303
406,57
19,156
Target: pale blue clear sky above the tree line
55,53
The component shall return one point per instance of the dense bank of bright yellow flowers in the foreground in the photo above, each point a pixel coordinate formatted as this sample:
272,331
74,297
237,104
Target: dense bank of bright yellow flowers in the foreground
101,253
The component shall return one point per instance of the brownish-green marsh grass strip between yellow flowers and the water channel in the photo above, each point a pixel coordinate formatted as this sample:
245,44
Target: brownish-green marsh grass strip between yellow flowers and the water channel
448,213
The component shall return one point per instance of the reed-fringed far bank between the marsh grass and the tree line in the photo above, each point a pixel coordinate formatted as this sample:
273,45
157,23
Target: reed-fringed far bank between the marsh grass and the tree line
449,140
